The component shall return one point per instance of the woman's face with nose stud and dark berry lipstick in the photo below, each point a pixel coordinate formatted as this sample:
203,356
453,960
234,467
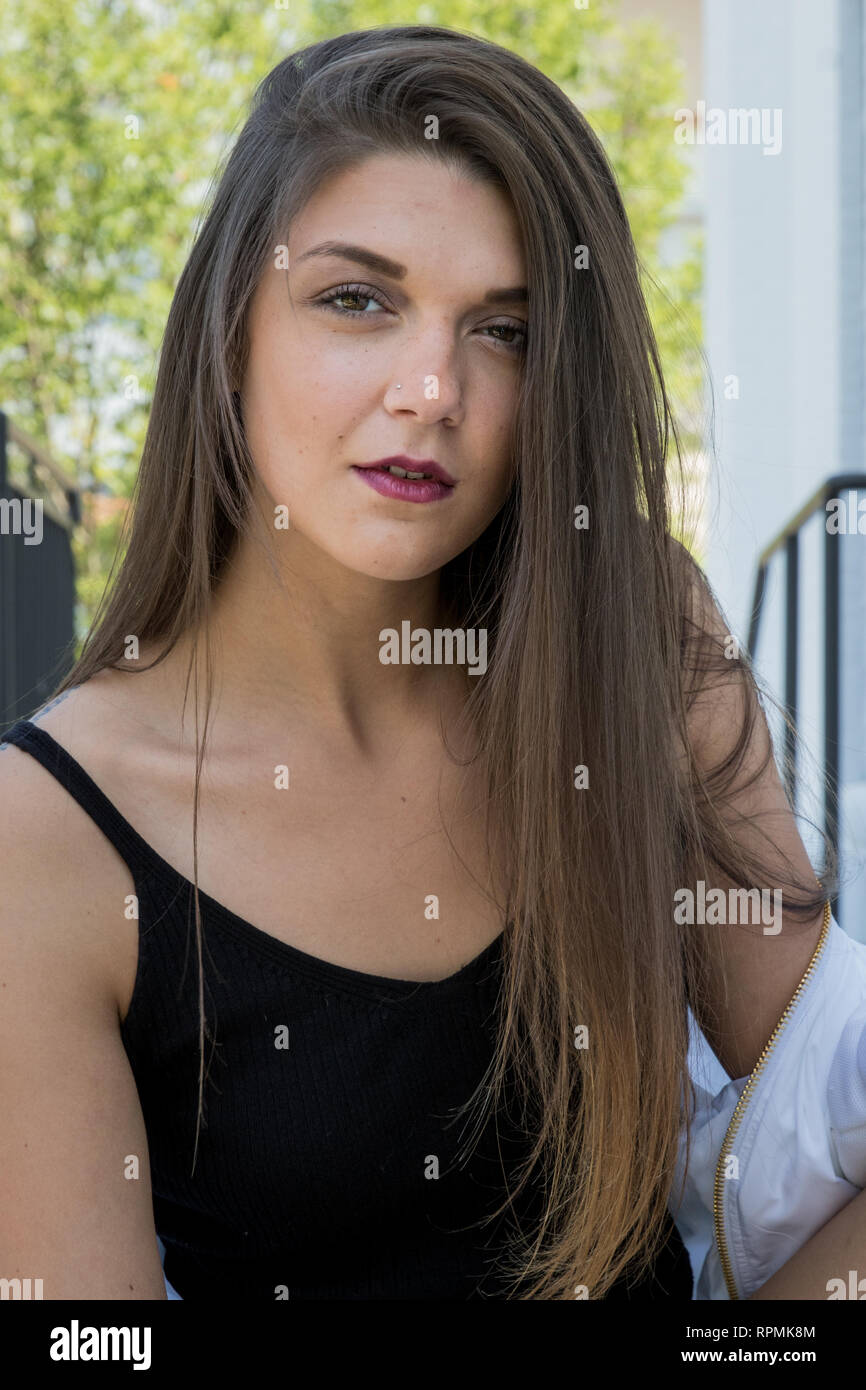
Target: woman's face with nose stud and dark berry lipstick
441,313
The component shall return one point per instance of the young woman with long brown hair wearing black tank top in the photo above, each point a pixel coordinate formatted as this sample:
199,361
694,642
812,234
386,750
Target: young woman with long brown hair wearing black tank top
359,974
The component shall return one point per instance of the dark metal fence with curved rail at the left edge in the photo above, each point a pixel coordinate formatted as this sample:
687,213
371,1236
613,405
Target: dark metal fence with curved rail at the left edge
38,511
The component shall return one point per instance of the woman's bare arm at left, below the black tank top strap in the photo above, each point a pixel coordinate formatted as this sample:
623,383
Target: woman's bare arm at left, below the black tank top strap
72,1129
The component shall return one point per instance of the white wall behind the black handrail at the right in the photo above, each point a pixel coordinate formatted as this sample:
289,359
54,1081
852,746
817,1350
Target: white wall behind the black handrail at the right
785,312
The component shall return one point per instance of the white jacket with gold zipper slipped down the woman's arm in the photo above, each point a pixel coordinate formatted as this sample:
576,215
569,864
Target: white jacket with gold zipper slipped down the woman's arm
792,1138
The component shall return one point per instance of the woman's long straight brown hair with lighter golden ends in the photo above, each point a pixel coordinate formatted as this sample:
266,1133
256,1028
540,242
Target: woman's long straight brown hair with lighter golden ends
597,641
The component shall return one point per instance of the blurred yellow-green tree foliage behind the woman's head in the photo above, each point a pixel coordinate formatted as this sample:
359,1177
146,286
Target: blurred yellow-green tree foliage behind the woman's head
113,117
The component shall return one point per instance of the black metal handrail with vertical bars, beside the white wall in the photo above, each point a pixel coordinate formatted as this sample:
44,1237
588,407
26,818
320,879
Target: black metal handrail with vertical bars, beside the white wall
789,539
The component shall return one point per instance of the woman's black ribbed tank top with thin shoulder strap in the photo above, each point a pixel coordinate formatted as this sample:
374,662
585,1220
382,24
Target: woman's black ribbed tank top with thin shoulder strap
330,1163
